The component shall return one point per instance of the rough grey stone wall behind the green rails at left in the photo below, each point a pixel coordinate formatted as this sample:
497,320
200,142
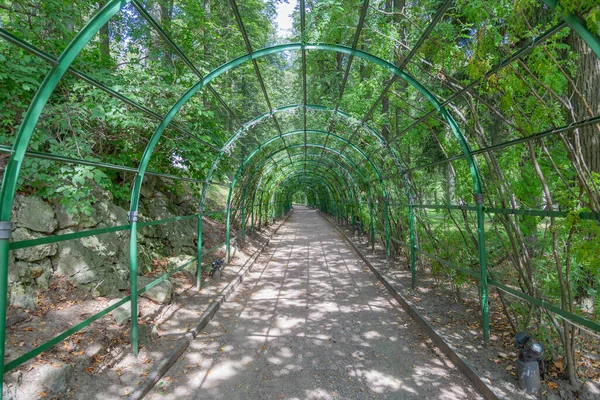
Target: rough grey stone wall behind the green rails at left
98,264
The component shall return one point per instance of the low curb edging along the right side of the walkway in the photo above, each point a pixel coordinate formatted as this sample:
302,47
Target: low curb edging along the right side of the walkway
449,350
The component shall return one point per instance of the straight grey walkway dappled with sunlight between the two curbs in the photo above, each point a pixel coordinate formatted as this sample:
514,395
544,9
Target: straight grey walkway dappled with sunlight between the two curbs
311,322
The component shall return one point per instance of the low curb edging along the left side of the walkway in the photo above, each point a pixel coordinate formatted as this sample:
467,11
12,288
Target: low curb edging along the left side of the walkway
163,366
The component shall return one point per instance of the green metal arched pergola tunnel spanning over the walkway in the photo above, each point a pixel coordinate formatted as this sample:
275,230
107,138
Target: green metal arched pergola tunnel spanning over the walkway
337,158
